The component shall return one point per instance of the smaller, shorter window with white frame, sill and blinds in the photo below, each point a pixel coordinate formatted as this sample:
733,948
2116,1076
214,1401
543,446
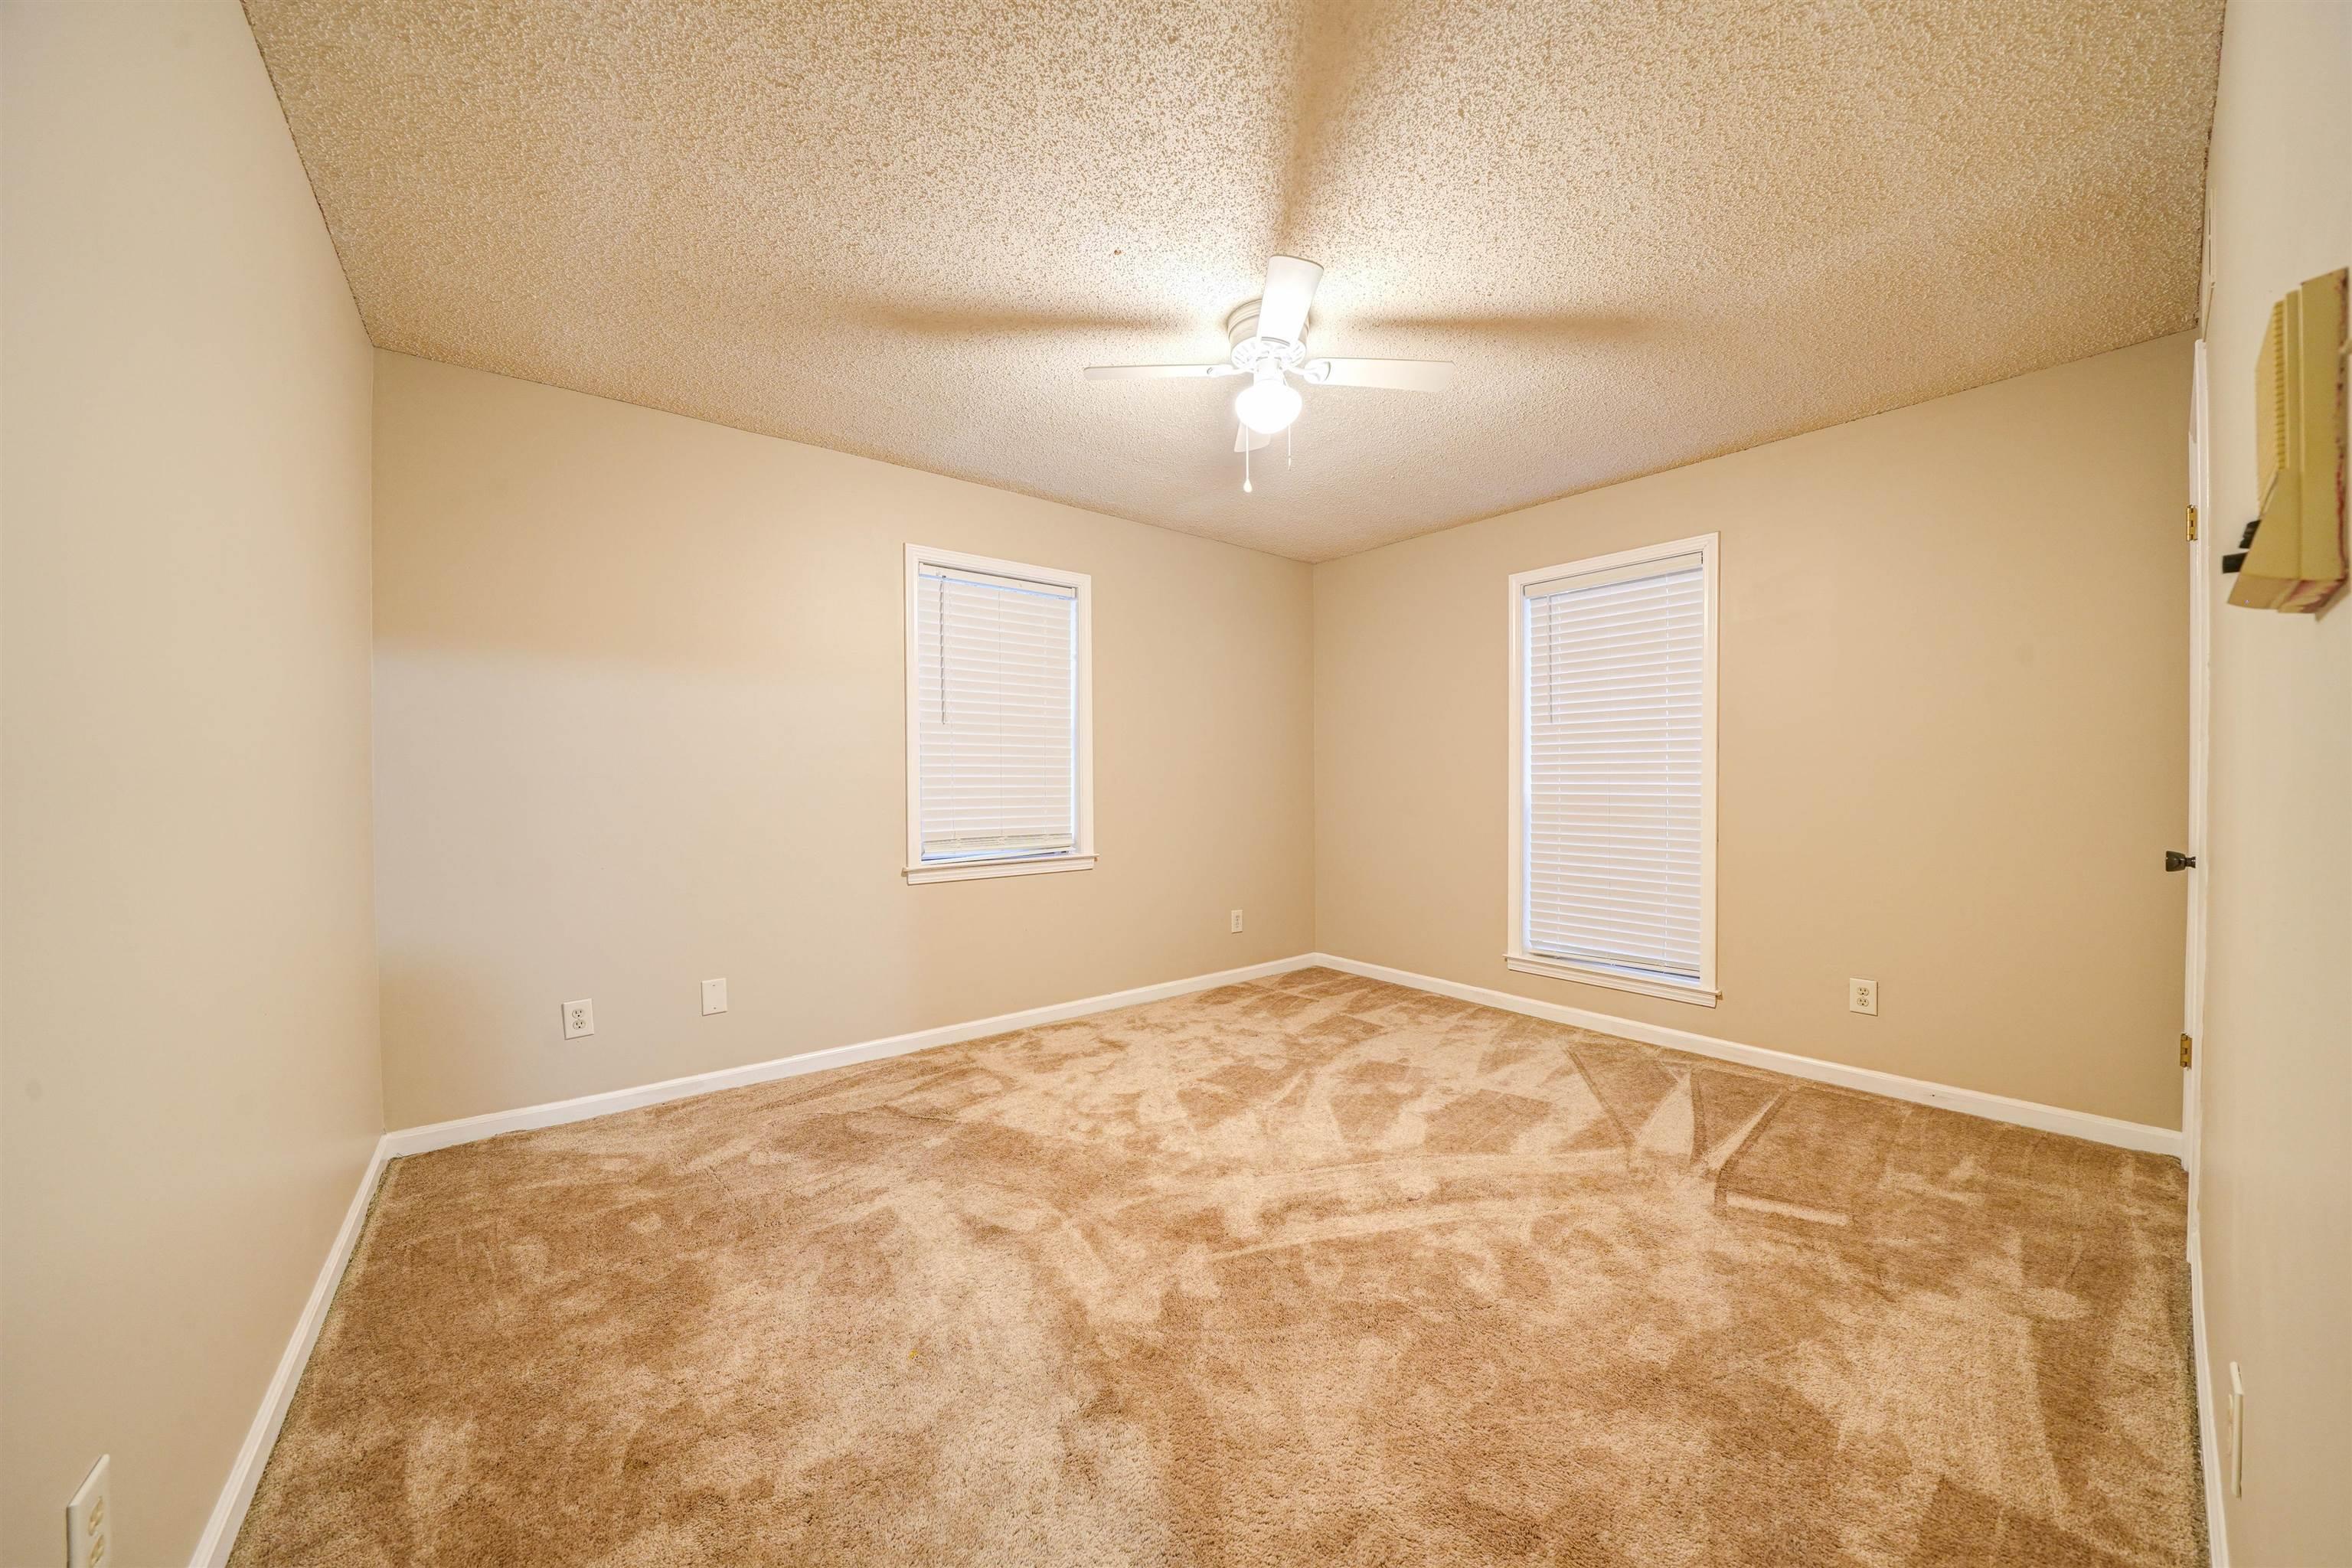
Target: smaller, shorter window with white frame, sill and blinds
998,737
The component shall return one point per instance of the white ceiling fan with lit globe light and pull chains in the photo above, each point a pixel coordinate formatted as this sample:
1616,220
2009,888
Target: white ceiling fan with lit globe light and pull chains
1269,347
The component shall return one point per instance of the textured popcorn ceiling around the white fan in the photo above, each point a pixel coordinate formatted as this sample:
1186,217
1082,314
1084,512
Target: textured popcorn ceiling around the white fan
1650,234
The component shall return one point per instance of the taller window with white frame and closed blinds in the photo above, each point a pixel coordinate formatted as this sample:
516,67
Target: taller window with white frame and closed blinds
1612,782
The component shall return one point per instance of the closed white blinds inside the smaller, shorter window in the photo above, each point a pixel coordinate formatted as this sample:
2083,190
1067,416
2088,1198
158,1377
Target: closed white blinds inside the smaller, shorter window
996,716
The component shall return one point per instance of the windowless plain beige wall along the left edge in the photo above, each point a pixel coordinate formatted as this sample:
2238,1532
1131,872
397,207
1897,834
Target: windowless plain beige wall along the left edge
189,1085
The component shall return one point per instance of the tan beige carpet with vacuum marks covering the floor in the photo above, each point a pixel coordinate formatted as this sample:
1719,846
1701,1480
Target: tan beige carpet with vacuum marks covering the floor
1297,1273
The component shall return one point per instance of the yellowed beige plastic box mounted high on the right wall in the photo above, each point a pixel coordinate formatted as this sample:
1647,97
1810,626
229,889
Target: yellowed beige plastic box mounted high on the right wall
2297,561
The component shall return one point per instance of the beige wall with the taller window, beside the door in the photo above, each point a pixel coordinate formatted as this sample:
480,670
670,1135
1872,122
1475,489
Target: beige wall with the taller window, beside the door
1953,737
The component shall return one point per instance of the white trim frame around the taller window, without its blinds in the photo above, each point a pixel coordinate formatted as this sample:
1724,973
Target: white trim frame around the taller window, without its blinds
1516,956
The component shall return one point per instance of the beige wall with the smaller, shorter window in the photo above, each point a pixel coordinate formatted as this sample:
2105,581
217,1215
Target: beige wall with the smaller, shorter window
641,721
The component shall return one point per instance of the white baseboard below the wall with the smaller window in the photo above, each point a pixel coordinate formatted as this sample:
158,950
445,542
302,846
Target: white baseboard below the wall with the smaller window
469,1130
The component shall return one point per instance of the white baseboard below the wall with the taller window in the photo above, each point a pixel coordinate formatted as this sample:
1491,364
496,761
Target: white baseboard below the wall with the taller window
1918,1092
